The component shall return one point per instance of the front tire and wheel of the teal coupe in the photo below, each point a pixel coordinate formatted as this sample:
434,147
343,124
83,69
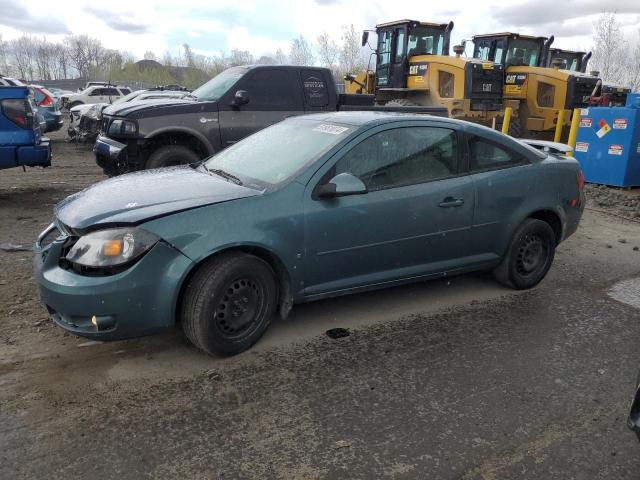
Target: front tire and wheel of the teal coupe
229,303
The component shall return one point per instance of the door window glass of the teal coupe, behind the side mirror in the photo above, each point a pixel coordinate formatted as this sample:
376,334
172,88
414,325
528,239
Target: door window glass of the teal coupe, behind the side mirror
402,156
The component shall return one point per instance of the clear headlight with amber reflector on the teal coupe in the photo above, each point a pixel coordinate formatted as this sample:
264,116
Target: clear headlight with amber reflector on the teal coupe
109,248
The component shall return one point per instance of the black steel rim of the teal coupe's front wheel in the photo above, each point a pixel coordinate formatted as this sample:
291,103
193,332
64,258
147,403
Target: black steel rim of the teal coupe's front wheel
239,308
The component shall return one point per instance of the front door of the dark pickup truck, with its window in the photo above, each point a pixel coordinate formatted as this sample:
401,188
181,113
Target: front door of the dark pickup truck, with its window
273,93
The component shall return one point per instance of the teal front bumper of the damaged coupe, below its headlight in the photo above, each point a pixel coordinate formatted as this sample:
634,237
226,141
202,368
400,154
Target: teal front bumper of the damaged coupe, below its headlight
138,301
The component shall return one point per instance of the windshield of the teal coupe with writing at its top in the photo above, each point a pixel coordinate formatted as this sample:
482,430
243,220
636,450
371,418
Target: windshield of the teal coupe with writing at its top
276,154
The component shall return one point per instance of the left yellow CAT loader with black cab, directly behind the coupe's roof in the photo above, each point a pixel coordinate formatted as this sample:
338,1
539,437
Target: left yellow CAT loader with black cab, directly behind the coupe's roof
414,68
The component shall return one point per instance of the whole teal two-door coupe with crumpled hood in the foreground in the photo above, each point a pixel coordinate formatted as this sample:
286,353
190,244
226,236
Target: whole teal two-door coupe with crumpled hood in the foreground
312,207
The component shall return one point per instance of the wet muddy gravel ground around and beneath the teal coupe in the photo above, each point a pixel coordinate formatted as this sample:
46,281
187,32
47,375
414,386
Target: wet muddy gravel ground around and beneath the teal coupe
447,379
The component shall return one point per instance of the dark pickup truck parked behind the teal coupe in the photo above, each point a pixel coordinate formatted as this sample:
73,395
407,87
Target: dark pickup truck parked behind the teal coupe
231,106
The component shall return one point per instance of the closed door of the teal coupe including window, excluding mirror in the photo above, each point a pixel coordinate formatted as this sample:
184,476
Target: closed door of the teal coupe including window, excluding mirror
413,221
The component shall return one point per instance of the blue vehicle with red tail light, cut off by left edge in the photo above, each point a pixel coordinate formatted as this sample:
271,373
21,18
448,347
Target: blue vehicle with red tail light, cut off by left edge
21,140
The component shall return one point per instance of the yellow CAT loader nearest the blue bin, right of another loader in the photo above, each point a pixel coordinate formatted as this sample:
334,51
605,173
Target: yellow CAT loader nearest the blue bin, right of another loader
536,92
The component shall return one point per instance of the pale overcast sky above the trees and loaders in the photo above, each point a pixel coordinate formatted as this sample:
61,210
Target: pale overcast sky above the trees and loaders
212,26
